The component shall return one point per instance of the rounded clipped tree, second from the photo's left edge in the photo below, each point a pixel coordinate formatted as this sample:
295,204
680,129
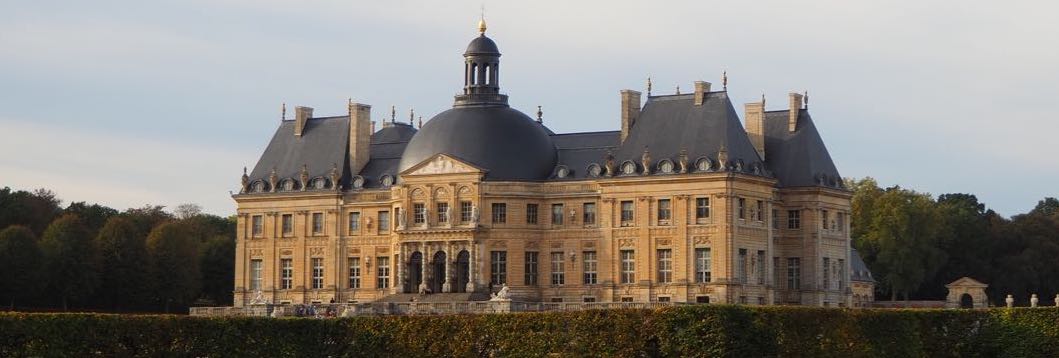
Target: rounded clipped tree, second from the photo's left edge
70,260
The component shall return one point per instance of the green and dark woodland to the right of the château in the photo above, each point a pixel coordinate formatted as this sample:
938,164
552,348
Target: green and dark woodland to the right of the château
916,245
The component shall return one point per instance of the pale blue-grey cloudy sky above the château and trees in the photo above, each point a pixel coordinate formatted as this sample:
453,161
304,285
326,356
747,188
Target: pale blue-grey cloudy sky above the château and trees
135,103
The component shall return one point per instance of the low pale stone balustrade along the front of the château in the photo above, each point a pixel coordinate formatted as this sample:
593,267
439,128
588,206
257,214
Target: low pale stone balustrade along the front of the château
383,309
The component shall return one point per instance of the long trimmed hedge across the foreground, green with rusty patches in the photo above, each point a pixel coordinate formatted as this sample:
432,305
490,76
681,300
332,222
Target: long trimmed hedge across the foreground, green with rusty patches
707,331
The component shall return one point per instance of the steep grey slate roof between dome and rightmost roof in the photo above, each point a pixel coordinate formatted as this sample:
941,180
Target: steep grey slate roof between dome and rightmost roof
671,123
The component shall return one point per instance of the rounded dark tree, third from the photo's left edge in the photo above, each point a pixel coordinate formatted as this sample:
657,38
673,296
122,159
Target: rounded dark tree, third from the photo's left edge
124,268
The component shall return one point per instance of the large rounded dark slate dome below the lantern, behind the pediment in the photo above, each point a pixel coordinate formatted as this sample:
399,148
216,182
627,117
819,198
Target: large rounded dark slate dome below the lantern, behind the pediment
498,139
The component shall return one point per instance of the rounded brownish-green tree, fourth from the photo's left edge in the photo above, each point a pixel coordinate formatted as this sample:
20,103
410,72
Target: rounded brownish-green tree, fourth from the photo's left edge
174,255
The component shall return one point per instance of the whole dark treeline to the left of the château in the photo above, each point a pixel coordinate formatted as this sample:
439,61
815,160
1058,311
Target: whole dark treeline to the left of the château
89,257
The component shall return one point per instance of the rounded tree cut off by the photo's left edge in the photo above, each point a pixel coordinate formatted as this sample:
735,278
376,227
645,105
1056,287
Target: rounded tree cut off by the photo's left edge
20,264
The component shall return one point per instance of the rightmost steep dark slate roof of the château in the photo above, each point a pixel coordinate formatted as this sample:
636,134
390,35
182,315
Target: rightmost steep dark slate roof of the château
798,158
